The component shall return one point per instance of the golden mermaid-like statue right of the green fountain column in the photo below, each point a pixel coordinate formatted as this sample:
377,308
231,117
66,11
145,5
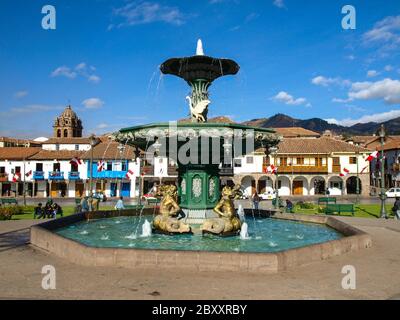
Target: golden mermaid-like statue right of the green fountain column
228,221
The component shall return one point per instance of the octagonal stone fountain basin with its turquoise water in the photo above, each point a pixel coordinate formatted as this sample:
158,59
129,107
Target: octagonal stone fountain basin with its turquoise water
309,238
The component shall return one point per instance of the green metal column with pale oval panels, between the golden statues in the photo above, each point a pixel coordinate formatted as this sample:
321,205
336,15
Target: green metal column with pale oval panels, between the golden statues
199,186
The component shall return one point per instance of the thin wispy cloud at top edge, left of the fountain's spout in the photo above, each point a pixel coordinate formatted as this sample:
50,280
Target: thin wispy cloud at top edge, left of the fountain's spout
142,12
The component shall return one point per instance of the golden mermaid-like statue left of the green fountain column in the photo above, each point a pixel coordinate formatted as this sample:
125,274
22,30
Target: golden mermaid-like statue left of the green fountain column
166,221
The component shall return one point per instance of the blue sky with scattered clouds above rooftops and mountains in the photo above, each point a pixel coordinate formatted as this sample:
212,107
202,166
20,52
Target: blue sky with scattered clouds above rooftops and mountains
103,58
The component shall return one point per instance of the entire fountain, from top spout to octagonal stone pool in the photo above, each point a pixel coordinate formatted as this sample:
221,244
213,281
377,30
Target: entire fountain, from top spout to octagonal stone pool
196,226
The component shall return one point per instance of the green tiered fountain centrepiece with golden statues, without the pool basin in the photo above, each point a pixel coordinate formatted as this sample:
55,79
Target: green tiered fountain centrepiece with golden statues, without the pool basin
199,148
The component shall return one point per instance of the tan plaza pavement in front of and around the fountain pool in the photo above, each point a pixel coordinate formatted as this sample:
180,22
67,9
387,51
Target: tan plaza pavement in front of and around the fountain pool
377,274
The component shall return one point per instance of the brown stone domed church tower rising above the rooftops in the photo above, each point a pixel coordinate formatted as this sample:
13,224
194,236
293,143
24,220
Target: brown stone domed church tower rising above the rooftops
68,125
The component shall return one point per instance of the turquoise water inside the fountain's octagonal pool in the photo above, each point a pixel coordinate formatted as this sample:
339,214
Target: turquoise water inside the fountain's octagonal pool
266,235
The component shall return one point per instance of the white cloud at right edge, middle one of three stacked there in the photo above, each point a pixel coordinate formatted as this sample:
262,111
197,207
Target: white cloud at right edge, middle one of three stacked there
386,89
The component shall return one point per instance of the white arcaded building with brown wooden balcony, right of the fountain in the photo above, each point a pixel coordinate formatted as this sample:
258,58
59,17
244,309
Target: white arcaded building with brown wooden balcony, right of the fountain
306,167
